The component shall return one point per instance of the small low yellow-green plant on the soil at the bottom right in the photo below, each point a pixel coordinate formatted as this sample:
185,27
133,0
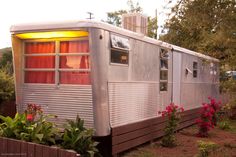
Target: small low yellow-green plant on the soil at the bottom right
206,148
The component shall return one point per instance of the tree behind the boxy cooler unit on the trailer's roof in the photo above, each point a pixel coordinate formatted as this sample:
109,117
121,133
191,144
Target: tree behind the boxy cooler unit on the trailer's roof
115,18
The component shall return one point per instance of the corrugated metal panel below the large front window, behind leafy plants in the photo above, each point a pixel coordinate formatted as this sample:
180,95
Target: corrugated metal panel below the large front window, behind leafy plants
64,101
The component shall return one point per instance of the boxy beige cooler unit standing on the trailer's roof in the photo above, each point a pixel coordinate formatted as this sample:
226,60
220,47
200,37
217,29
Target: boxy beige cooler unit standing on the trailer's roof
135,22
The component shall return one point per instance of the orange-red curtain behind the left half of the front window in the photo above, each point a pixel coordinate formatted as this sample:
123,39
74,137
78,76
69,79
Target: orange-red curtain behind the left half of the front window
39,62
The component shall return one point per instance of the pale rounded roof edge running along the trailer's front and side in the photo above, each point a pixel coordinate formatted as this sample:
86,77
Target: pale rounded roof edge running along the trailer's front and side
68,25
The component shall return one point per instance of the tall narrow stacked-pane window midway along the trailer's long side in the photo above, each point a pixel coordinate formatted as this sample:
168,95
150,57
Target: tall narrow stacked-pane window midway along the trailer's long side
163,70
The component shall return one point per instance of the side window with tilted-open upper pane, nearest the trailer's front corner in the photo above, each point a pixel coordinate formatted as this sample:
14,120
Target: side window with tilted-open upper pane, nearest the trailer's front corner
119,50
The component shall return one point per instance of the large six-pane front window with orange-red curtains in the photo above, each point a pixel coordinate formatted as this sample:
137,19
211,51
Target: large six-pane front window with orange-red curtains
57,62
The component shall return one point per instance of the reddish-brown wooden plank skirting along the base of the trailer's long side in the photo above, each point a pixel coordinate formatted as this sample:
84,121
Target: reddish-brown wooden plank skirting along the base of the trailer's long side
131,135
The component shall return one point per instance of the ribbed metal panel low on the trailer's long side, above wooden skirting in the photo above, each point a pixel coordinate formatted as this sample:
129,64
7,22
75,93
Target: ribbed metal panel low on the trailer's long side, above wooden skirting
132,102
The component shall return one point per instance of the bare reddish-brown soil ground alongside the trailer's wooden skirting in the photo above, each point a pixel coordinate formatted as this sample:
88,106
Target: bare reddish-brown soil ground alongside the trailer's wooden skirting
187,145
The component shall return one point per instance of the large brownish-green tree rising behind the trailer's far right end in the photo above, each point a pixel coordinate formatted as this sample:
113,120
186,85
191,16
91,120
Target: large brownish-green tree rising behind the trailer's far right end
205,26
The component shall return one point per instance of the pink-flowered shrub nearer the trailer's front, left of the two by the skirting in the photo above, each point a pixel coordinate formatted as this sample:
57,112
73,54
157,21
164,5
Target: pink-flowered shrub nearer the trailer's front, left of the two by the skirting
172,112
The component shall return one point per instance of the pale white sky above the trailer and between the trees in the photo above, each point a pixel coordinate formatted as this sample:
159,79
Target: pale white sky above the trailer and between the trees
28,11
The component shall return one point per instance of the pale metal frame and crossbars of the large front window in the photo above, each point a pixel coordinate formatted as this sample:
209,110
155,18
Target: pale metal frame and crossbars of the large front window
57,55
